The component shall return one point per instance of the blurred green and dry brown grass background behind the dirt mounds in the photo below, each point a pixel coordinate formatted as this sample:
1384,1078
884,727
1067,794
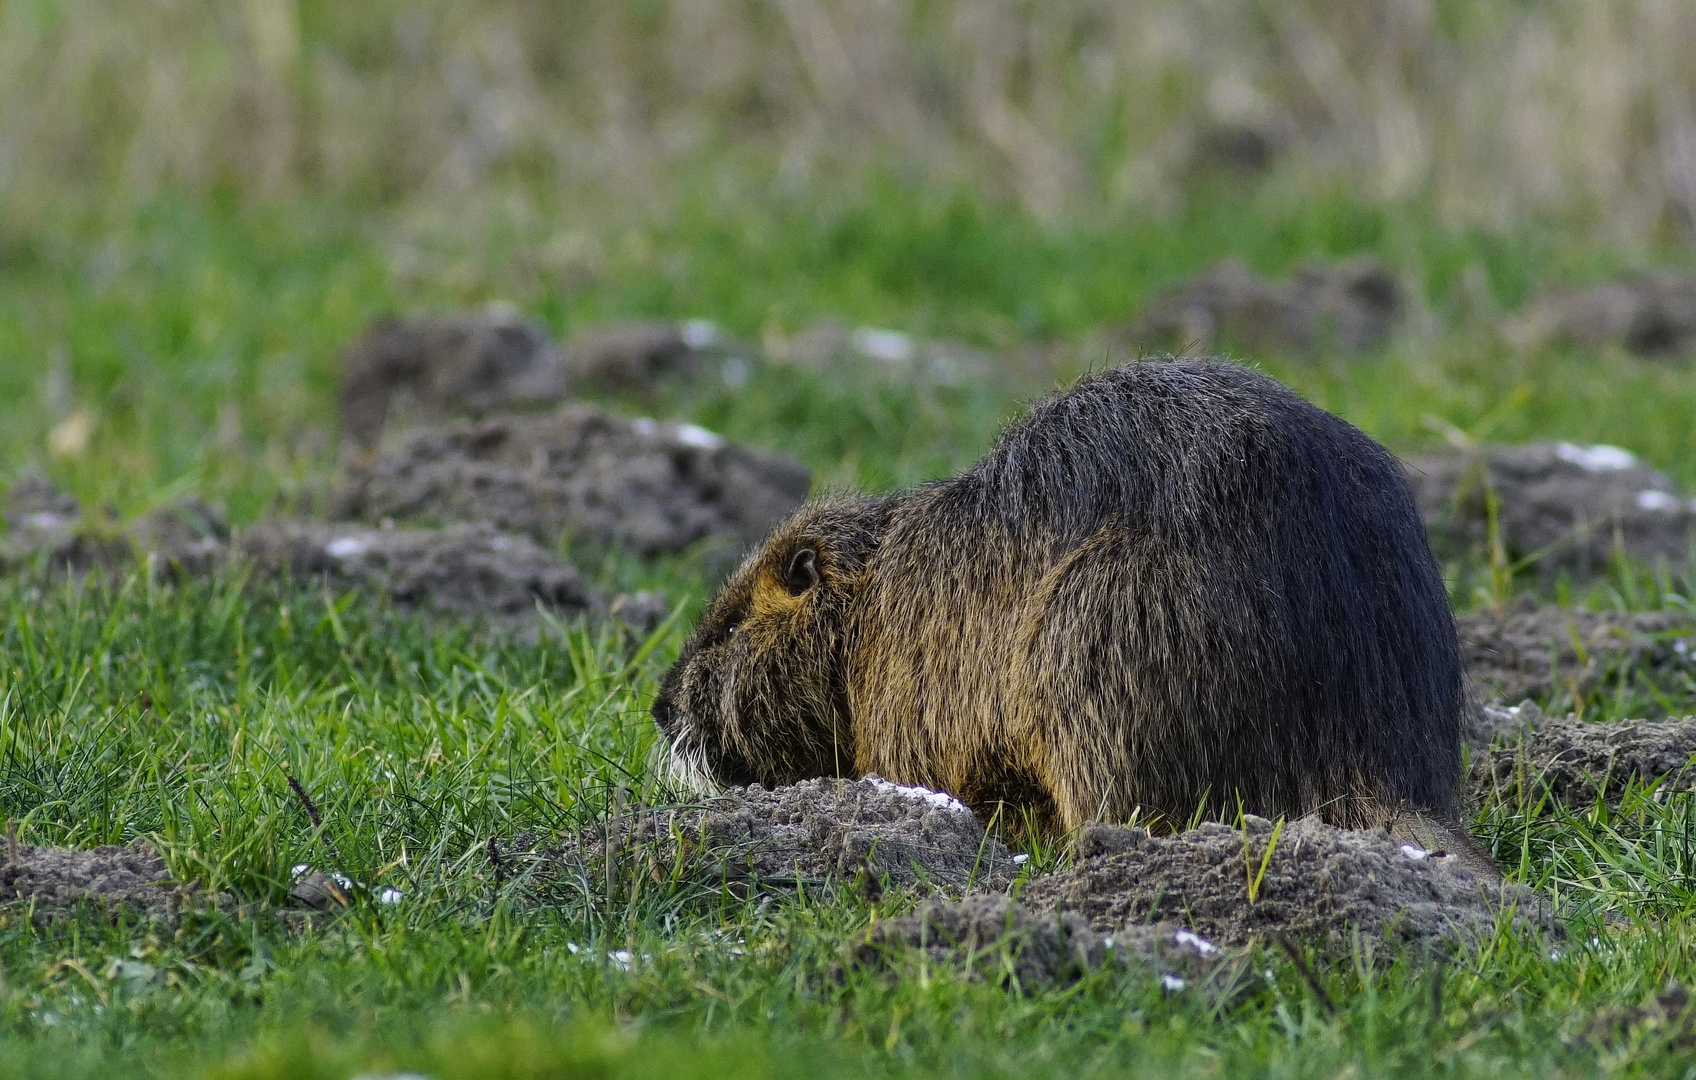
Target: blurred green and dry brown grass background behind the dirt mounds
201,203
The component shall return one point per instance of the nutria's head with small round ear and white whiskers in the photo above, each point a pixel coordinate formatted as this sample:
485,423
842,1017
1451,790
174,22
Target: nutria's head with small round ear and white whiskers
761,689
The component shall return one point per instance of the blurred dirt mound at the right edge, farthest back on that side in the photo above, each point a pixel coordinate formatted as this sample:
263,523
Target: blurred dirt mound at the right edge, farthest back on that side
1648,315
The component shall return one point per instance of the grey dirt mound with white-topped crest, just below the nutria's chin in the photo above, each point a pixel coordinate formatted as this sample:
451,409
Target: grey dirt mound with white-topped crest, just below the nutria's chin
810,833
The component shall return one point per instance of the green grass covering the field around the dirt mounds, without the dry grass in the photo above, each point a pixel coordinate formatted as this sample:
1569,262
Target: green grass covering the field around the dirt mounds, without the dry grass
203,340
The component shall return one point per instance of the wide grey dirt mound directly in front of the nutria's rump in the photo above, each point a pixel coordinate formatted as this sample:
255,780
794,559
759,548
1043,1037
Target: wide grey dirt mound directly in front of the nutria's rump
1317,884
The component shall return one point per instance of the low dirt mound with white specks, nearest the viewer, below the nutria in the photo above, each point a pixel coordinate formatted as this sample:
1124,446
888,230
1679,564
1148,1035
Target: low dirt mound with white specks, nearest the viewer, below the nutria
1005,942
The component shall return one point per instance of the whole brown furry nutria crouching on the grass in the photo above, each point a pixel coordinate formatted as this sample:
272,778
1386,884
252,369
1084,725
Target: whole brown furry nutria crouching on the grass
1173,589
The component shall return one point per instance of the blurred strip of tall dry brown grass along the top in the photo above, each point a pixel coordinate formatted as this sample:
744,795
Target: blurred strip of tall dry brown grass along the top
1497,111
